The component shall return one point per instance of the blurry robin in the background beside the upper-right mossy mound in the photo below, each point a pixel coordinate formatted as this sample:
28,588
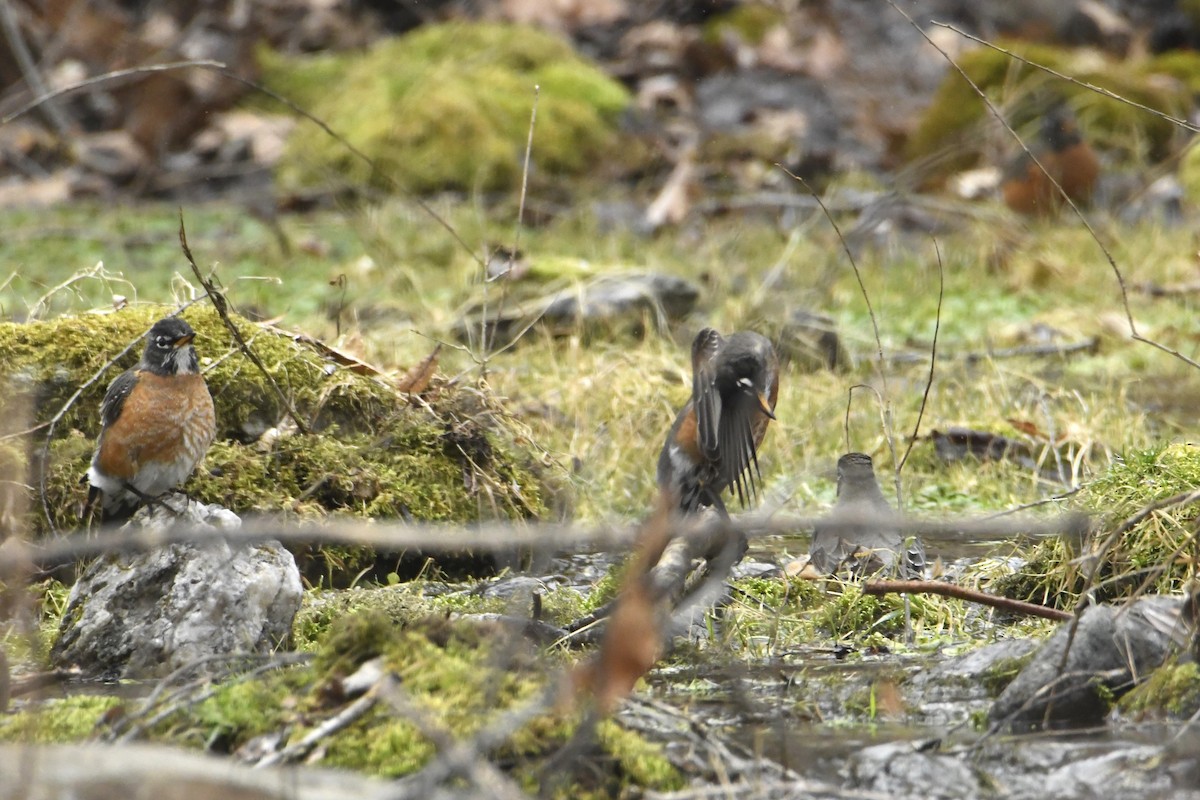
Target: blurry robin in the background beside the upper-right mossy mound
1065,155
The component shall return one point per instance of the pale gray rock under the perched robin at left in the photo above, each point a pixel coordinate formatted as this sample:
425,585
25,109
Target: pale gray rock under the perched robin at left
148,613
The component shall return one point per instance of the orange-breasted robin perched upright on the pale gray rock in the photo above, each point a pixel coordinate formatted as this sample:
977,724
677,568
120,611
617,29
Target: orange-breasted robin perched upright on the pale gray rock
158,423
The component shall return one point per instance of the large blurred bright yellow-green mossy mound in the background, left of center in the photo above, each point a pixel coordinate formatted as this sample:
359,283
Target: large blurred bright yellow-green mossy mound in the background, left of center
448,107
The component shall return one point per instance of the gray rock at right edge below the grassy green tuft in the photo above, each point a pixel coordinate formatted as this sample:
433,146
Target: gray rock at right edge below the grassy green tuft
1113,649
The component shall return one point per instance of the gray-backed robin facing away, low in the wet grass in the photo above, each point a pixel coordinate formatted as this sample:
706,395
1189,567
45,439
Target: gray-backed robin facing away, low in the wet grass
868,546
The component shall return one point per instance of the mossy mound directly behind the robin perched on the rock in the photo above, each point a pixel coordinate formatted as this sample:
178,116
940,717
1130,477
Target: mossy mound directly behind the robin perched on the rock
373,453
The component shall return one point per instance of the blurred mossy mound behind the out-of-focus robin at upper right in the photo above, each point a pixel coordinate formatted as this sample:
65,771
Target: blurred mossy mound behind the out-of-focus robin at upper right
956,111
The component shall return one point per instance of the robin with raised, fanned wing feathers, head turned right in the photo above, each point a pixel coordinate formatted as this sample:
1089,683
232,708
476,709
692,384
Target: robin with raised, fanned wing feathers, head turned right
713,444
